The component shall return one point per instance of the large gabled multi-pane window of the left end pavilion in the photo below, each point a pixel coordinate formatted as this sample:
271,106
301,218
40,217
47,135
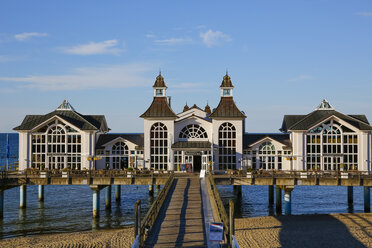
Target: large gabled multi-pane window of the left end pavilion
56,146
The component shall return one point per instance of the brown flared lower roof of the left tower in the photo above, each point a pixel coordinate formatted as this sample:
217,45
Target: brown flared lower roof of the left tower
159,108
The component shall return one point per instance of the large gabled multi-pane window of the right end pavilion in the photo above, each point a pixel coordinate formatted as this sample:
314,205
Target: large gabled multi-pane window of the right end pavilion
332,146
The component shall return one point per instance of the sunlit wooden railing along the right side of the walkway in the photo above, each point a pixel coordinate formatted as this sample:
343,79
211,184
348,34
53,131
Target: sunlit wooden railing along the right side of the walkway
220,211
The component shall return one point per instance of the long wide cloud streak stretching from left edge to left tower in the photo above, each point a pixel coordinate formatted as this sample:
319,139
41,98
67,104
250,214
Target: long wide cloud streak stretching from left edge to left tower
115,76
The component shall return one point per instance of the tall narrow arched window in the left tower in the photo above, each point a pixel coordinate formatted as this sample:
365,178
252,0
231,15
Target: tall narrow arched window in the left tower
159,146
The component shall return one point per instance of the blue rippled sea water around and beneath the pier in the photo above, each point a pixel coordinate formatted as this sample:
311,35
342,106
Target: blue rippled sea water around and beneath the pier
69,208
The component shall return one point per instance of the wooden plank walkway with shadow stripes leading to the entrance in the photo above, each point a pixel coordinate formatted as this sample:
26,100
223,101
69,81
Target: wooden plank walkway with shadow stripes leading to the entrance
180,223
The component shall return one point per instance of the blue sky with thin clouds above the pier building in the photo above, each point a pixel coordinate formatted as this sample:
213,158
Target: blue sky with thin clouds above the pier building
283,57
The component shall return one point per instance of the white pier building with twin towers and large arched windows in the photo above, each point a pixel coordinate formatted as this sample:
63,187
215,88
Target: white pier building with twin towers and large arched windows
196,139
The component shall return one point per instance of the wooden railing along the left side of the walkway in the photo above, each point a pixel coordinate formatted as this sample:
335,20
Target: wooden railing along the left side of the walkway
152,213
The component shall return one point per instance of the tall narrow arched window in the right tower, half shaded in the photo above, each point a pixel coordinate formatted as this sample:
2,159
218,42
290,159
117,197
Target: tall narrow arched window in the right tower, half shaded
227,146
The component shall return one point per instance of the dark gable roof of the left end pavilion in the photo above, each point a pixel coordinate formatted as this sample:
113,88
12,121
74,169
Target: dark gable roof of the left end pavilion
83,122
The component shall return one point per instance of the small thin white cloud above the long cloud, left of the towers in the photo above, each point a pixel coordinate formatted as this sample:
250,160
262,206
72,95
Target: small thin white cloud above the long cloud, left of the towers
92,48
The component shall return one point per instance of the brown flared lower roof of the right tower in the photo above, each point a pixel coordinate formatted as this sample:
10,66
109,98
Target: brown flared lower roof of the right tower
227,109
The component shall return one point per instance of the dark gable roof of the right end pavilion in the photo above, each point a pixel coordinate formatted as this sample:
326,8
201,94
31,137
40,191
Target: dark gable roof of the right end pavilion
301,122
